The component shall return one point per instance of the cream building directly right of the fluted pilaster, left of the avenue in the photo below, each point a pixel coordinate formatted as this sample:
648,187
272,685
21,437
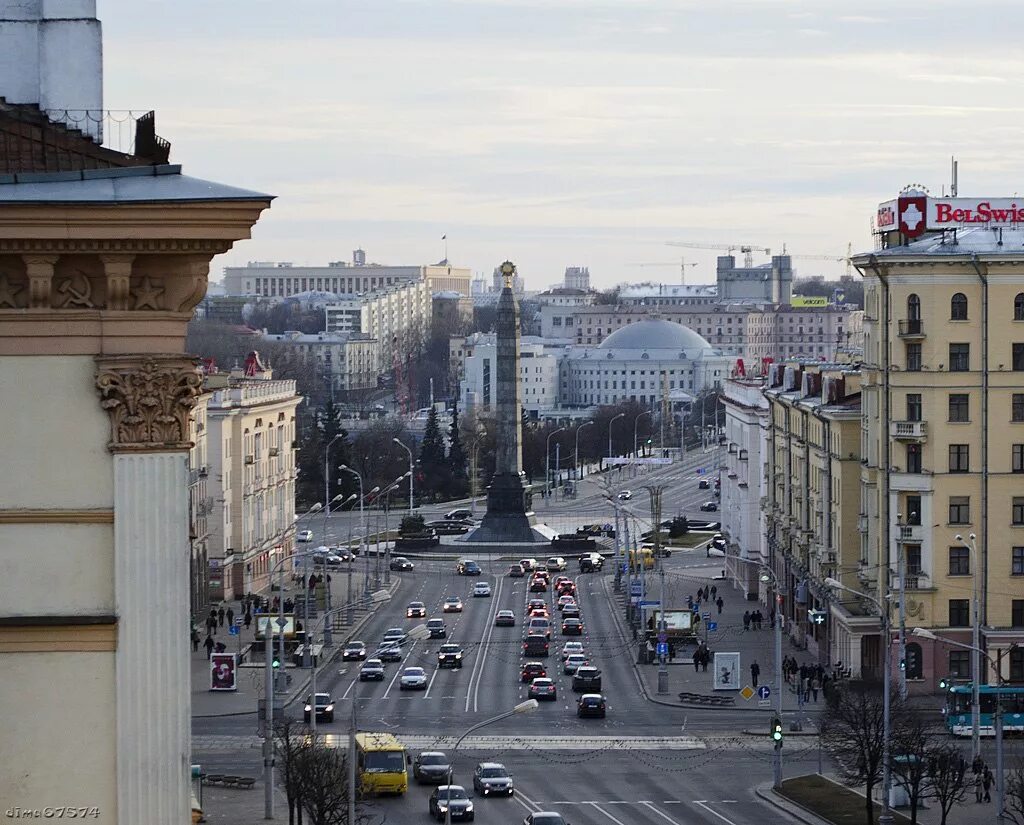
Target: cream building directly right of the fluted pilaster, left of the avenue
250,449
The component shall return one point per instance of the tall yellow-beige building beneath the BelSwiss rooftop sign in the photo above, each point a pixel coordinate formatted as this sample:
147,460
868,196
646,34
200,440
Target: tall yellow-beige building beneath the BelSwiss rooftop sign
944,441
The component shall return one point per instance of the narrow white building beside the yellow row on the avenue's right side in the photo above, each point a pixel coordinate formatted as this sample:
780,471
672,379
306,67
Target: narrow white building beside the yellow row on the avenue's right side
744,524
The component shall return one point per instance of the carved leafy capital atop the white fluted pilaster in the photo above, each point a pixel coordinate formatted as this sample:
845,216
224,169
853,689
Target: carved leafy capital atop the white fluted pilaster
149,400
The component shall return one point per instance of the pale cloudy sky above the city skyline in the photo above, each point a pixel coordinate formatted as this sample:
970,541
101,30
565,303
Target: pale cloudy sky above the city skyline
563,134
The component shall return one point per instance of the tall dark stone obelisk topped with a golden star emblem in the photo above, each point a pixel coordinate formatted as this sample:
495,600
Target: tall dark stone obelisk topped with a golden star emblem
509,516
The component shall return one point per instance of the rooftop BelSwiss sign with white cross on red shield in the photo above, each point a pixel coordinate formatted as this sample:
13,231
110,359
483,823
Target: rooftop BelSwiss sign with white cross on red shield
917,214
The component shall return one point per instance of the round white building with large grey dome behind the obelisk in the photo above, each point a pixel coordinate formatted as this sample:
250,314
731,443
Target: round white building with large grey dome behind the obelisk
639,363
